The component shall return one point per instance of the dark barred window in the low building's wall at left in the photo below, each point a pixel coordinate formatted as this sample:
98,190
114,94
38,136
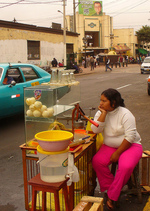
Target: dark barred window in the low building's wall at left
33,50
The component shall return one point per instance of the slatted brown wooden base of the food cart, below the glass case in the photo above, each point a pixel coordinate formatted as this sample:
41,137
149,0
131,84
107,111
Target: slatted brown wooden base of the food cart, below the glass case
83,160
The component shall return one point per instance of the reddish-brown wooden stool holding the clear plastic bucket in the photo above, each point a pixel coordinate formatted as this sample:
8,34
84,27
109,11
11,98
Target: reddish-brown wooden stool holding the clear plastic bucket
38,185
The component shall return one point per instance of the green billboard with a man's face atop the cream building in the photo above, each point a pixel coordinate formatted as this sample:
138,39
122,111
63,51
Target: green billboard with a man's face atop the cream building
90,8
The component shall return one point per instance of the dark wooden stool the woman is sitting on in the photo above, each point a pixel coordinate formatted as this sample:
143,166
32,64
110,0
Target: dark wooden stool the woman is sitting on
133,183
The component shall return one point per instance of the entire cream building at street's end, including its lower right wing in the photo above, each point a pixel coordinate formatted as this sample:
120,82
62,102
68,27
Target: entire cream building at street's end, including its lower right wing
101,37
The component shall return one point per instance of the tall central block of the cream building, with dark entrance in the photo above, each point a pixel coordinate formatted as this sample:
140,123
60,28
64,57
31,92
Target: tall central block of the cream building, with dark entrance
96,29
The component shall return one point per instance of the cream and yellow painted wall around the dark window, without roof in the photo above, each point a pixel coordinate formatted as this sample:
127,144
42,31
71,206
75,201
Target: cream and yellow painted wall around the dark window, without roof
13,45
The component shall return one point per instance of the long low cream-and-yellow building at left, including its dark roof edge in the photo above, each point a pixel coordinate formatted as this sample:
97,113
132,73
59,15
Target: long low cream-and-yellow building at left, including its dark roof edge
32,44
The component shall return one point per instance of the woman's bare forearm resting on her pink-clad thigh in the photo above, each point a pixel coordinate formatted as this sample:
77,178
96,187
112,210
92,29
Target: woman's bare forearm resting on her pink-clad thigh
124,146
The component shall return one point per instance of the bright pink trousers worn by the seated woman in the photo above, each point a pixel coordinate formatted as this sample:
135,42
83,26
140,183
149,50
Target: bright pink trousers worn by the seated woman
126,164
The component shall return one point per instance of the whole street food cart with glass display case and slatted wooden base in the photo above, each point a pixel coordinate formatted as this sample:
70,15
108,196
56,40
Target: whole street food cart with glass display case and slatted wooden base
62,100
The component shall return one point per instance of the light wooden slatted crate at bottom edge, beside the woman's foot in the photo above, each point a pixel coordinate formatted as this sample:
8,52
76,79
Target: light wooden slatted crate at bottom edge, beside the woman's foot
89,203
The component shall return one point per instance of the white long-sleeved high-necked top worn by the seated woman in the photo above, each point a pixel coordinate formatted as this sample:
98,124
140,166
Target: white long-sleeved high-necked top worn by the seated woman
119,125
